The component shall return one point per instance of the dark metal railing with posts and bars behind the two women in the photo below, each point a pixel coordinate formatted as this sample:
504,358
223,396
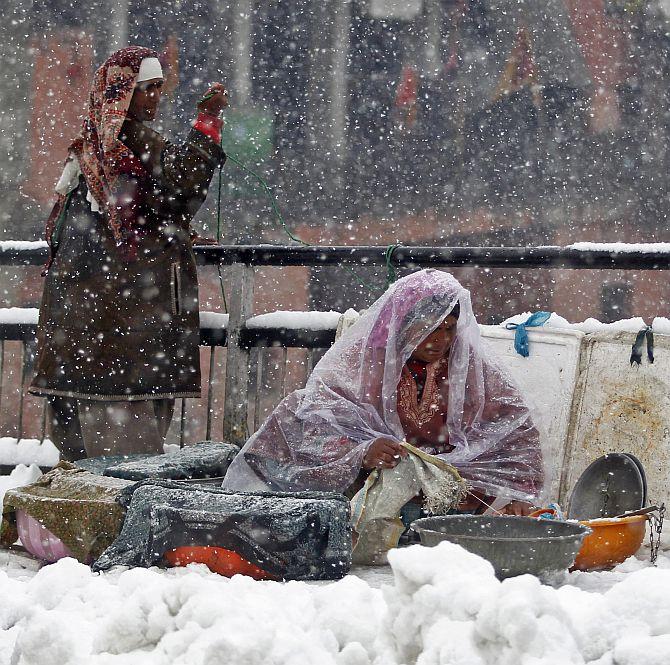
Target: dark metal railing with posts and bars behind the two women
245,368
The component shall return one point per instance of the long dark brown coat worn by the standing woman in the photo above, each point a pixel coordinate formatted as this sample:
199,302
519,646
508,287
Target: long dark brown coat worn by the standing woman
113,327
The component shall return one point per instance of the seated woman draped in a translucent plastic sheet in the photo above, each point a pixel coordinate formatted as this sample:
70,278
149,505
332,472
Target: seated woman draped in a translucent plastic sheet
413,368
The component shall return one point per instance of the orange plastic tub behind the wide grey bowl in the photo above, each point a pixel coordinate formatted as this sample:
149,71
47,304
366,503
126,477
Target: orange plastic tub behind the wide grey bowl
612,541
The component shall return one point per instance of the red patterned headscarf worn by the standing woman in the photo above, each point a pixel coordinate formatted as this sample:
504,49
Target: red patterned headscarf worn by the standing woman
102,156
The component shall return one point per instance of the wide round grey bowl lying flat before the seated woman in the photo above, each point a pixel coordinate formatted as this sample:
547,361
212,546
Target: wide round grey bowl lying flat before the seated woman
513,545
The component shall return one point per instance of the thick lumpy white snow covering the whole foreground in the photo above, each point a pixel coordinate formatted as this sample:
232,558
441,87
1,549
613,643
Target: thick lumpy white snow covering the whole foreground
434,606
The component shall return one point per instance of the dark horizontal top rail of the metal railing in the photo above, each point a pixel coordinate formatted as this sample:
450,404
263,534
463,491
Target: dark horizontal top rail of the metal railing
409,257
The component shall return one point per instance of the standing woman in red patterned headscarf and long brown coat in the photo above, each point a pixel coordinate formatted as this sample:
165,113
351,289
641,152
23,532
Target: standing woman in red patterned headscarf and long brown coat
118,333
